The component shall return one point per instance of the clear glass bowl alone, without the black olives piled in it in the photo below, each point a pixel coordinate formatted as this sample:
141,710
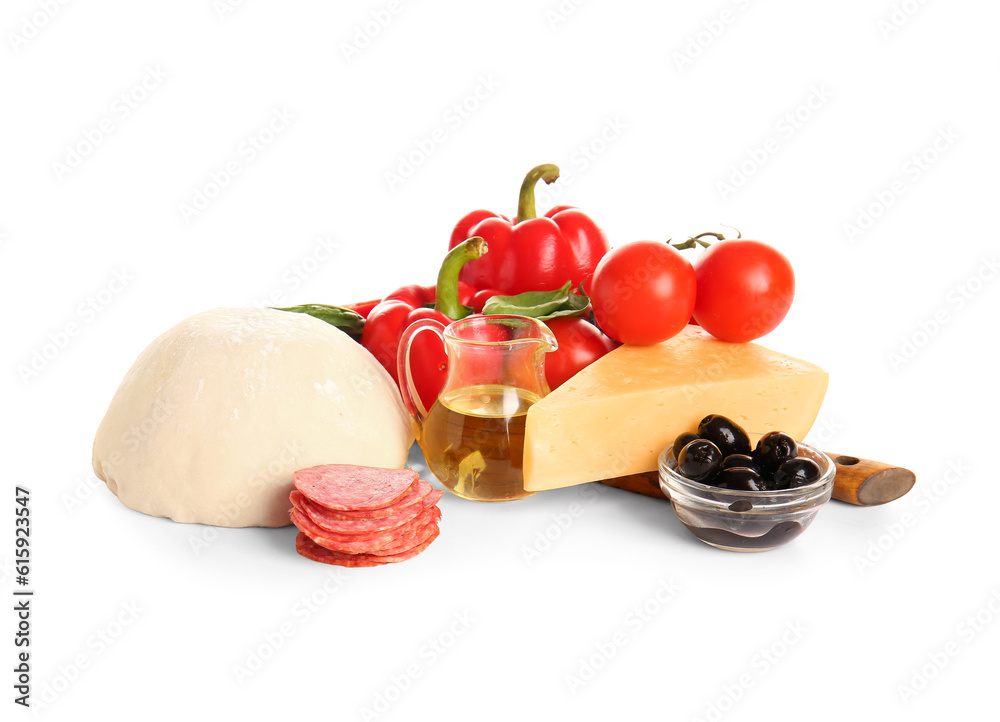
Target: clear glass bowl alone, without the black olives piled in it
746,521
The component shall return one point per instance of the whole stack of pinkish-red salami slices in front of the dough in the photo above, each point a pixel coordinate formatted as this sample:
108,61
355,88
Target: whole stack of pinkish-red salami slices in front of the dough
361,516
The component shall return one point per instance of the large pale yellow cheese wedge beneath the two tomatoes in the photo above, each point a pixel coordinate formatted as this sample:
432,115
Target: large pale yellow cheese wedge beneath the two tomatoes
617,415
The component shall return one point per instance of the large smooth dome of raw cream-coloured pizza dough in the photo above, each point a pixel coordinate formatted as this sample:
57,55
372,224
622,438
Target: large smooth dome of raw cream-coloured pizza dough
215,415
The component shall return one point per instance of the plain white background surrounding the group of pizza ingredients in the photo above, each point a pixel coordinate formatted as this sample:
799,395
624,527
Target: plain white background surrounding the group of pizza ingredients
648,108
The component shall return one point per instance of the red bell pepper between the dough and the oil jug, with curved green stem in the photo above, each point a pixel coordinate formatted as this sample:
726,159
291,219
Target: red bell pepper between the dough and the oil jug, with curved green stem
443,302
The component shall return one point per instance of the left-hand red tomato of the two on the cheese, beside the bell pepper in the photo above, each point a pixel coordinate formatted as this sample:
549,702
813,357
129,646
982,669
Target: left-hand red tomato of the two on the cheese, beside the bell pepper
643,292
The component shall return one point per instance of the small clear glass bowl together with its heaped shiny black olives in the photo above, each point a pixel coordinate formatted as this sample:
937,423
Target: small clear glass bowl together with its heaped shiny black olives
738,498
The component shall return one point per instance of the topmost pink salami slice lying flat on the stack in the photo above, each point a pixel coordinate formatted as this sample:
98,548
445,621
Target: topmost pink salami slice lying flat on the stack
345,487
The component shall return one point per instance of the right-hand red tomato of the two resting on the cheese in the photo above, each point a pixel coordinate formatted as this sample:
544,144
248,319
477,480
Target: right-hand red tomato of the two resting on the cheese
745,288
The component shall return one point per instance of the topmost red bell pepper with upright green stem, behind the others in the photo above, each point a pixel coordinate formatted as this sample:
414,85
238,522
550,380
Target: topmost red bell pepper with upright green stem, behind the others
529,253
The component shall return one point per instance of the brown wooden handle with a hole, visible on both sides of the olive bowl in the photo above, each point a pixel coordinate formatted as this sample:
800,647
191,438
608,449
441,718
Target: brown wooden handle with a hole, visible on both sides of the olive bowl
858,481
